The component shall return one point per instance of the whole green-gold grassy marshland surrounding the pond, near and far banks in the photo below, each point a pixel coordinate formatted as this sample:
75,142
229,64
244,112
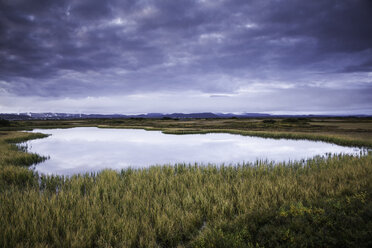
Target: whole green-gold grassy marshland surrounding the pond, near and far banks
325,203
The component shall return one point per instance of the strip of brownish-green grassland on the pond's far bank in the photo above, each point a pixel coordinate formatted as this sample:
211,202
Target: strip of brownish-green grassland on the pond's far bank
342,131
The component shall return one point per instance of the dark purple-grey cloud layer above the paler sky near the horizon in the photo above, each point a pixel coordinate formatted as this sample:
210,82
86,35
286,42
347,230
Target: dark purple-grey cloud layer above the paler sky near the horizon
89,48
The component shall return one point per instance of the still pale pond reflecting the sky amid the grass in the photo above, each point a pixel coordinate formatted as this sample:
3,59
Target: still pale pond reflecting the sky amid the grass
88,149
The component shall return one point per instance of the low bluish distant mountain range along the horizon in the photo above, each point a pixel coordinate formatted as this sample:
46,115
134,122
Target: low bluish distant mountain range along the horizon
206,115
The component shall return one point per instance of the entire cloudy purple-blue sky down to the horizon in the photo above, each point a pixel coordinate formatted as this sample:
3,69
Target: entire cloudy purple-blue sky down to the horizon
94,56
